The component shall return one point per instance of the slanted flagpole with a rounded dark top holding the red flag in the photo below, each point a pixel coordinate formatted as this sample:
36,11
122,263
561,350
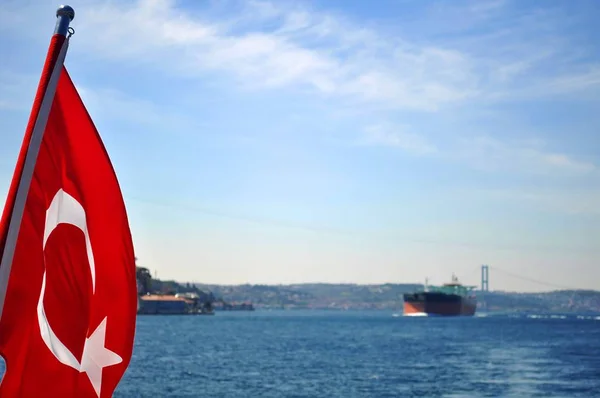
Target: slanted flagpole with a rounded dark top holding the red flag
19,188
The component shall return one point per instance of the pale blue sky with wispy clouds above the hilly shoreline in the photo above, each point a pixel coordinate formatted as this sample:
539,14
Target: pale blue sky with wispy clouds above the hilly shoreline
337,141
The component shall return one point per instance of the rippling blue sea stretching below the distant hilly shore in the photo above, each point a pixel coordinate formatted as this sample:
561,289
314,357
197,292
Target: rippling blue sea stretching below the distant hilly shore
364,354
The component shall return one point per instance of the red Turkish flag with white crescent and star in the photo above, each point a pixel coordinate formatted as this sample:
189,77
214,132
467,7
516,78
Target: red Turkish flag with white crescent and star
68,320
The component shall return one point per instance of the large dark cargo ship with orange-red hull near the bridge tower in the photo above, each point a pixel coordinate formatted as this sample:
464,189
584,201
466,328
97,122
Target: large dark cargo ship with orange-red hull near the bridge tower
450,299
